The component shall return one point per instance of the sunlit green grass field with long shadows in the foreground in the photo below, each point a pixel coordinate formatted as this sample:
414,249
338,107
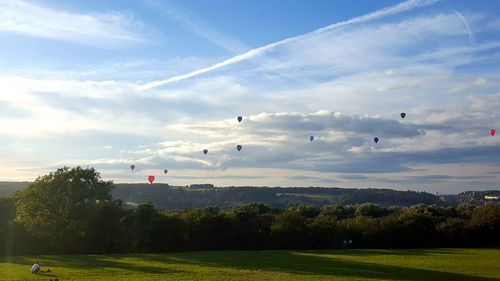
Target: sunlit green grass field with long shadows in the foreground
422,264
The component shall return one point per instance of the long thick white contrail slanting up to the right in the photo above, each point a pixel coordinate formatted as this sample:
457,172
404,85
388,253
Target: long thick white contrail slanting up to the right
399,8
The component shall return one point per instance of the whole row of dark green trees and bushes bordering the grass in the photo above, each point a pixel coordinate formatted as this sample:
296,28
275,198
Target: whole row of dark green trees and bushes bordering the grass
71,211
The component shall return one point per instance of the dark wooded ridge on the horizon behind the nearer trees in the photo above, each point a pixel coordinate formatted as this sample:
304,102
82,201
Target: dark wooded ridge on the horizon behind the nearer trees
168,197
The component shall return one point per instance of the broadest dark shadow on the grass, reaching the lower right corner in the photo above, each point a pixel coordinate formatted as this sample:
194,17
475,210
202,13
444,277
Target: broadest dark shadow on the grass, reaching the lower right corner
308,263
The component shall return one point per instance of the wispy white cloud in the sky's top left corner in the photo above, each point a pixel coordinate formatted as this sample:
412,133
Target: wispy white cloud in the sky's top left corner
103,29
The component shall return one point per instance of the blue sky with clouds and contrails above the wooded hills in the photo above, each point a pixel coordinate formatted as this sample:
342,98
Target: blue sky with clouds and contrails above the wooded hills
153,83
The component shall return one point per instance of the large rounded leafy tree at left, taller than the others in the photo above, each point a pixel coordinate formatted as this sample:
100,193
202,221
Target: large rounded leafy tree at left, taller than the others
58,207
